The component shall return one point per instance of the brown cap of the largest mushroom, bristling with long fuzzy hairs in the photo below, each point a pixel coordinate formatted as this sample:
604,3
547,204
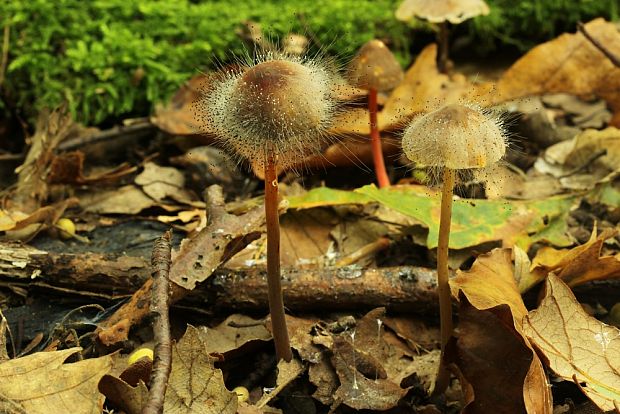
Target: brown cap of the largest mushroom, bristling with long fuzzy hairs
281,106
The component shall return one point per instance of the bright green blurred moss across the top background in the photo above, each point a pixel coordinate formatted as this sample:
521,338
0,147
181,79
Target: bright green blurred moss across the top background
111,59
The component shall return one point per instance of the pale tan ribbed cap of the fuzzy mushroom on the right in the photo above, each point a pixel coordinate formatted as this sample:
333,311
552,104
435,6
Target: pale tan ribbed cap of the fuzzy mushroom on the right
455,136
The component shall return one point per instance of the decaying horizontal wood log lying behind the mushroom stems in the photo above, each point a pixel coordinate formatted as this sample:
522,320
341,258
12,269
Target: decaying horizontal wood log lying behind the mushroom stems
404,288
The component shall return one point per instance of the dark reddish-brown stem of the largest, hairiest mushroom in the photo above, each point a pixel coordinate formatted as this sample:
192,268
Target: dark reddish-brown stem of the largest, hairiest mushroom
274,286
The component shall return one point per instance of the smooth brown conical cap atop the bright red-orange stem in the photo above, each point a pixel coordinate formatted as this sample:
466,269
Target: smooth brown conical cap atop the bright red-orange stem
375,67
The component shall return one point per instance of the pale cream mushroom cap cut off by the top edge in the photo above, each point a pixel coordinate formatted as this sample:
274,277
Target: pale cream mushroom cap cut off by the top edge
439,11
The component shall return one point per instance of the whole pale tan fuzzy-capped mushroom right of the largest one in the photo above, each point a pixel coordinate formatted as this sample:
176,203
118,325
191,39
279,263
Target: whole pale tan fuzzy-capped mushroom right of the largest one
455,139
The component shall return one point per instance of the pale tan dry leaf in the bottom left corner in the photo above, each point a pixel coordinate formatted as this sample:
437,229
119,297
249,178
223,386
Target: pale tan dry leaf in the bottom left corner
41,383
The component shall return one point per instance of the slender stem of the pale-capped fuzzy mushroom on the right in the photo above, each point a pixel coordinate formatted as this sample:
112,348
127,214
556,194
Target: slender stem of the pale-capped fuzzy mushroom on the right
443,285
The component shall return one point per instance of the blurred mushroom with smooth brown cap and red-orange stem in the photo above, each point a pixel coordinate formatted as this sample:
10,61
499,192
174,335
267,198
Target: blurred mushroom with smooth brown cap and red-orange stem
375,69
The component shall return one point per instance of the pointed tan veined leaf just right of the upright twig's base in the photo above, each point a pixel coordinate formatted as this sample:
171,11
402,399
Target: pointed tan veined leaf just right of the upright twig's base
195,385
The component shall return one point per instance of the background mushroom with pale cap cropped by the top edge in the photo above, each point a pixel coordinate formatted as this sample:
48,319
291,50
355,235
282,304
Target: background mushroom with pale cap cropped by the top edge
442,12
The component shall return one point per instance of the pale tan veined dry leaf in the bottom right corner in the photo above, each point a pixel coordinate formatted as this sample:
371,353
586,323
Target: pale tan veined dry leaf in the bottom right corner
577,346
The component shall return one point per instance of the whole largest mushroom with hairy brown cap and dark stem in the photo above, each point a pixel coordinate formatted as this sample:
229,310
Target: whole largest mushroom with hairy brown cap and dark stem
272,113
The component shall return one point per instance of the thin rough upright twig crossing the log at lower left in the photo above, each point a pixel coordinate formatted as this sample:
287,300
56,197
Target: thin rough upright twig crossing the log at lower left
162,361
